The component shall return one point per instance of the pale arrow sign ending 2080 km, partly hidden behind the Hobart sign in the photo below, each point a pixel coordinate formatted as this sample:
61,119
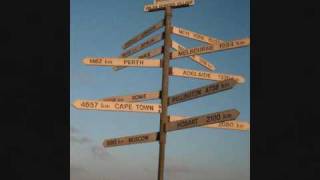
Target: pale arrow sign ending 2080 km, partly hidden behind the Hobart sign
232,125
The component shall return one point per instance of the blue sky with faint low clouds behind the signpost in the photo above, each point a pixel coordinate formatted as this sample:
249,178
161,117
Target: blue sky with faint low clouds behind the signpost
99,28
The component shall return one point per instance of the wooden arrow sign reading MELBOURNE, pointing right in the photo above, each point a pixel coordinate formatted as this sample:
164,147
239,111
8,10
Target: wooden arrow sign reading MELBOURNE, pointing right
211,48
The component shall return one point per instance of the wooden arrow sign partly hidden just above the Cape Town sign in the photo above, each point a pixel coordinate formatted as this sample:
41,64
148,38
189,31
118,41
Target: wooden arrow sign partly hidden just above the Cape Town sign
134,97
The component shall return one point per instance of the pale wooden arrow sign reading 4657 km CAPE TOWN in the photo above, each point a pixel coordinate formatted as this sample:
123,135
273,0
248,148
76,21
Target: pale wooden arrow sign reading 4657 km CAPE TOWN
117,106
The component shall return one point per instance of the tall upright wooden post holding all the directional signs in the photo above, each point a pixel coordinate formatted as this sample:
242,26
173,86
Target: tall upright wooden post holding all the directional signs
164,92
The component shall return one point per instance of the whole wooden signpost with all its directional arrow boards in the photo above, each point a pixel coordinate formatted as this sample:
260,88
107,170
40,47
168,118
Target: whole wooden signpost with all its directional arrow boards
131,103
